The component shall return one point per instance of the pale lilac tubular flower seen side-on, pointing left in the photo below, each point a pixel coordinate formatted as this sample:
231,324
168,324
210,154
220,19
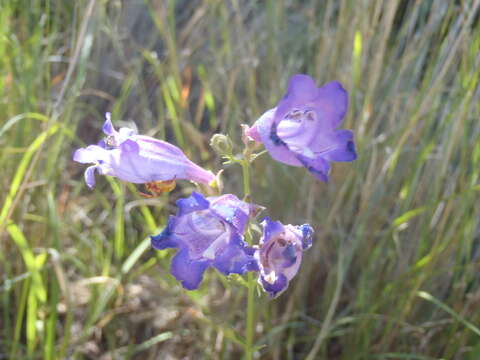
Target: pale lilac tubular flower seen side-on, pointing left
137,159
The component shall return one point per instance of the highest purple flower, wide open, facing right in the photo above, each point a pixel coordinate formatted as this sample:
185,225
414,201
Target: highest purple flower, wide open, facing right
301,130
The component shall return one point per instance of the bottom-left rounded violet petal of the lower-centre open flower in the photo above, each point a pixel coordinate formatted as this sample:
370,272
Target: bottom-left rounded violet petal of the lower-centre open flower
189,272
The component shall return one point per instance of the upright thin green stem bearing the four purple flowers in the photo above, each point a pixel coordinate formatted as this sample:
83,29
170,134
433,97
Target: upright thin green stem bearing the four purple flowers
250,325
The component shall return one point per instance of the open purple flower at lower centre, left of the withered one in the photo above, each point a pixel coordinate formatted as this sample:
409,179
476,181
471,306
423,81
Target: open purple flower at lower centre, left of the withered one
208,232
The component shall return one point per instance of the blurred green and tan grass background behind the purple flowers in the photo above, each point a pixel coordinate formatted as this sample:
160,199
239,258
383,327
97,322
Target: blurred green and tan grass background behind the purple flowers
394,270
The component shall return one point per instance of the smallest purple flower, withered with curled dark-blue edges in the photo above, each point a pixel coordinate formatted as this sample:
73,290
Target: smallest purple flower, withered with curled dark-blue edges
280,254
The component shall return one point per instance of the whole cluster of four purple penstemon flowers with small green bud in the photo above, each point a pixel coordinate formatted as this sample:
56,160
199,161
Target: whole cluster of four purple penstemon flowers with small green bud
210,231
